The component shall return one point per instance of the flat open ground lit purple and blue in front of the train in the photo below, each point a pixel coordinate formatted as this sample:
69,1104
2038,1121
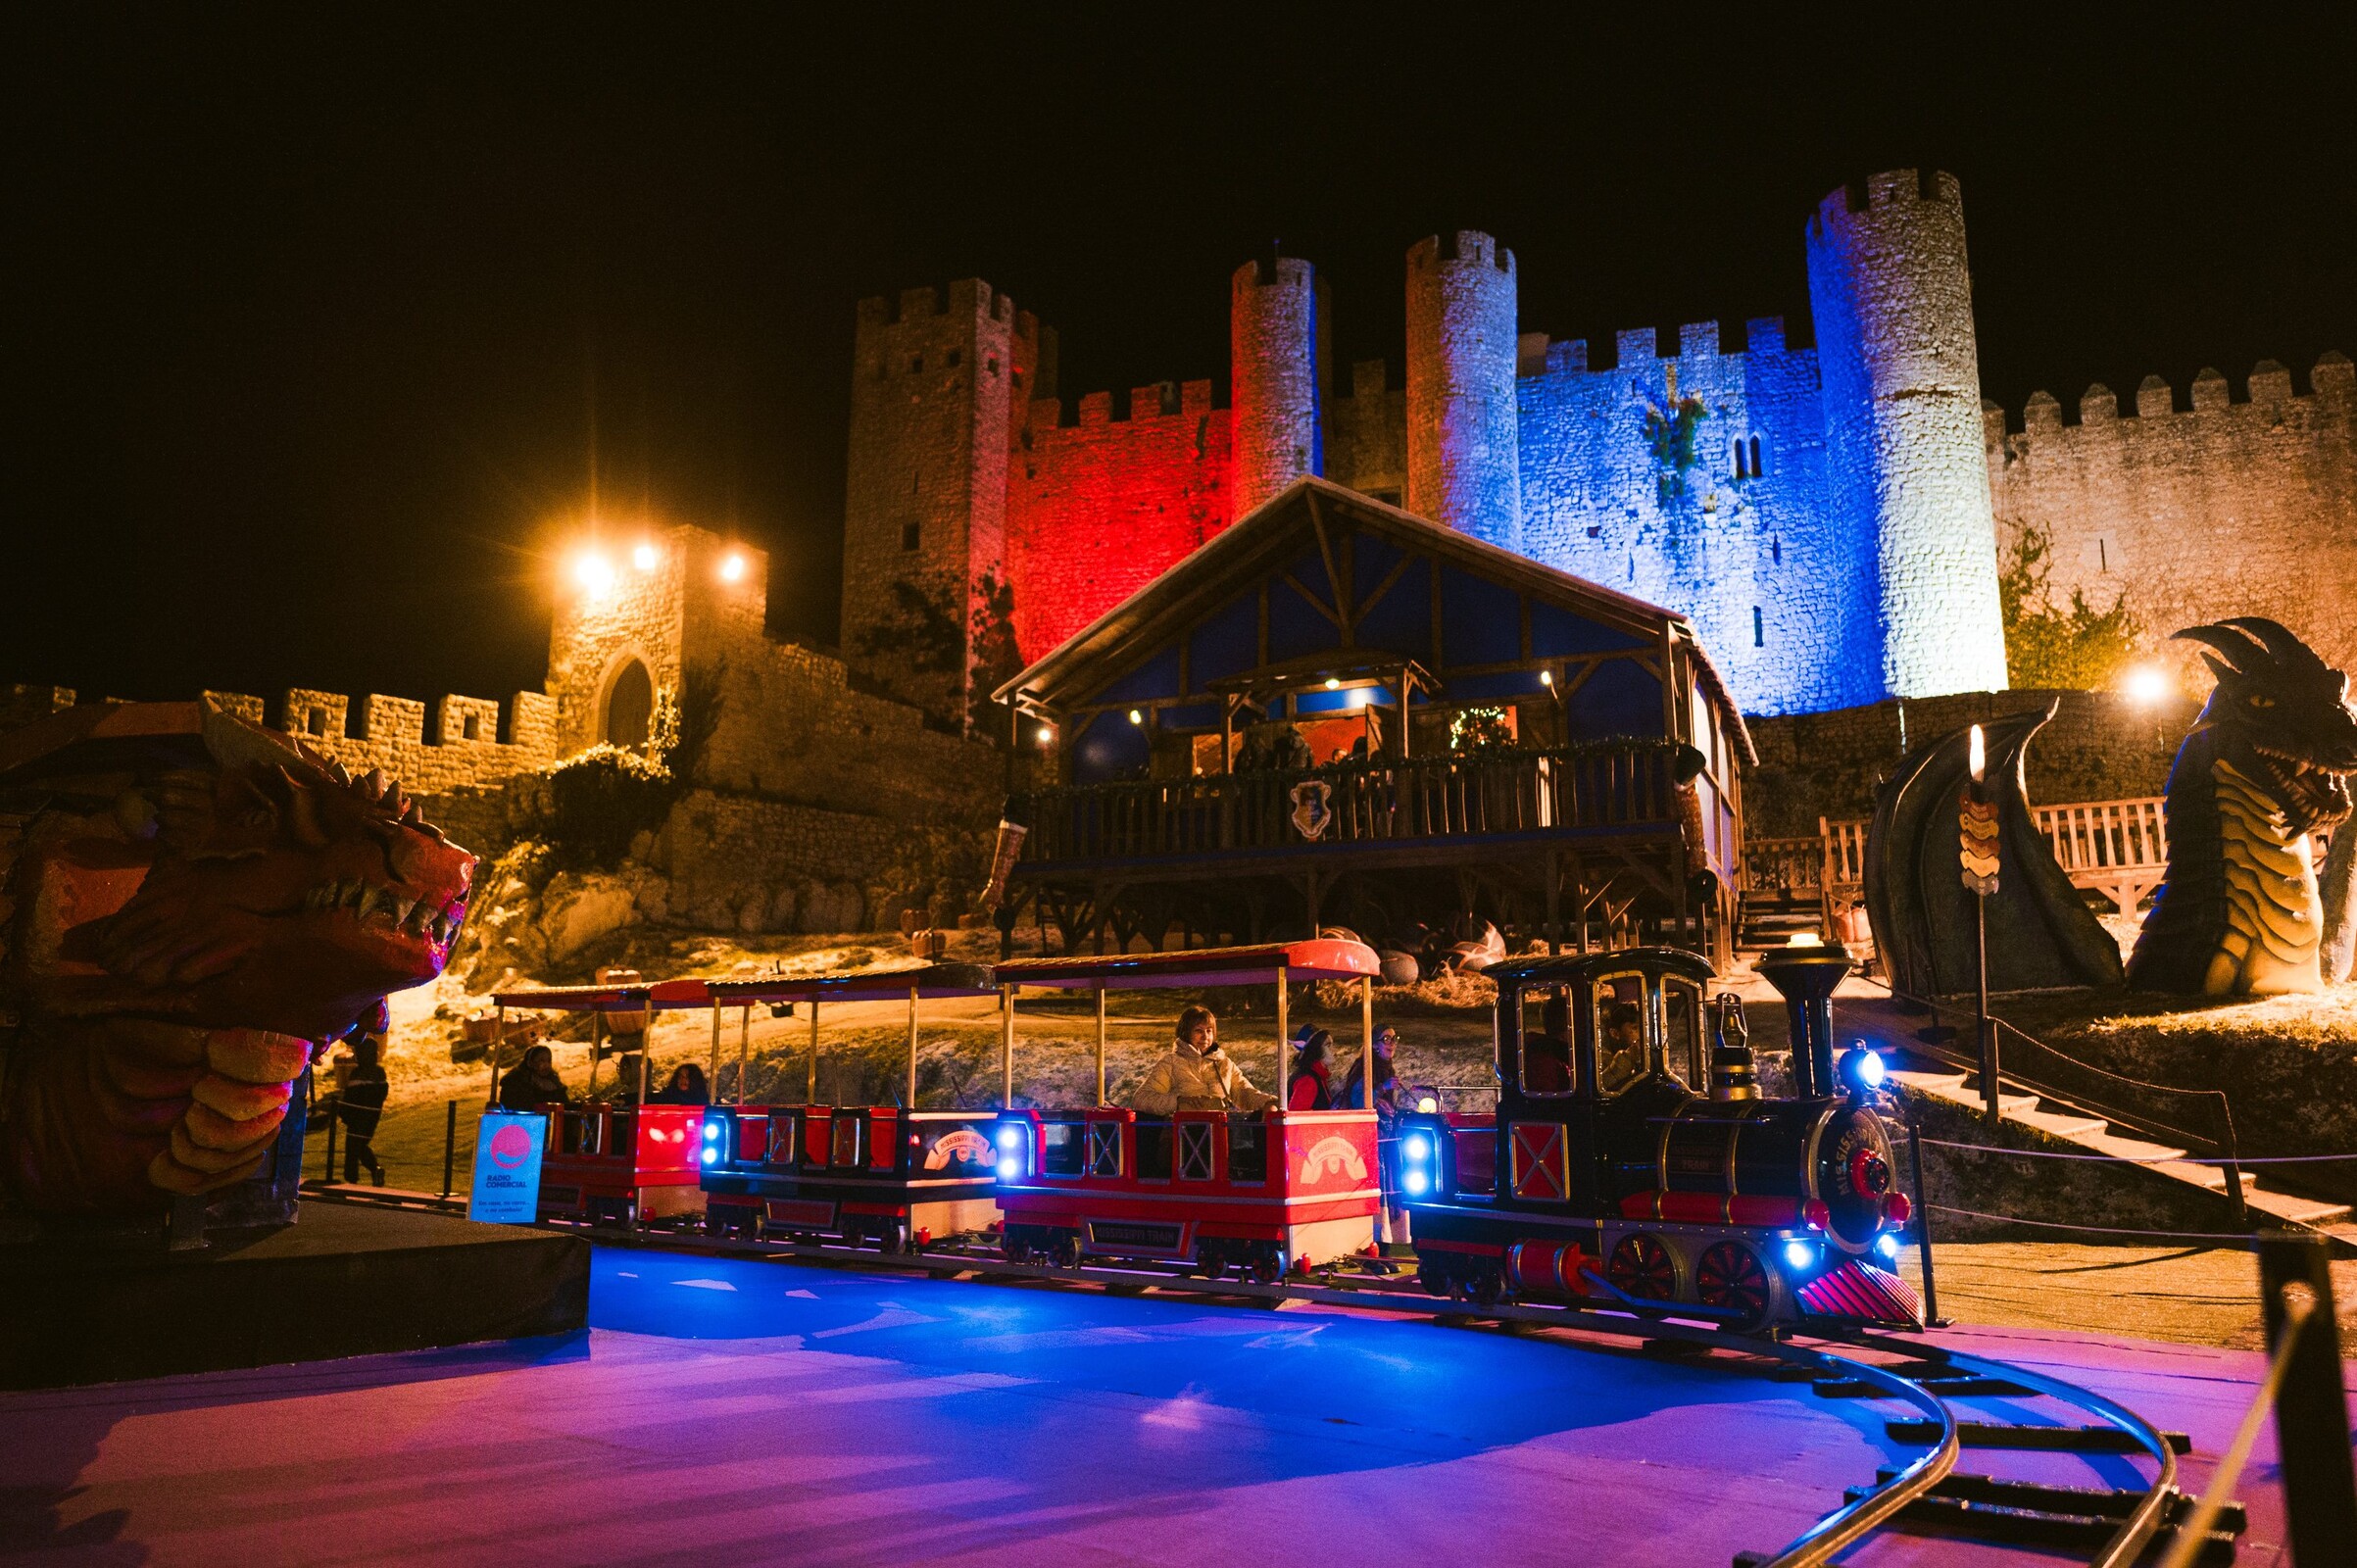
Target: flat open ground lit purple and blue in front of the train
737,1411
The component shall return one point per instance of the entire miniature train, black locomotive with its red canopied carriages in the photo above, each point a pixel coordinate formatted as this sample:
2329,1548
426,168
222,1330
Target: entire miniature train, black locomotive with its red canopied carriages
1628,1166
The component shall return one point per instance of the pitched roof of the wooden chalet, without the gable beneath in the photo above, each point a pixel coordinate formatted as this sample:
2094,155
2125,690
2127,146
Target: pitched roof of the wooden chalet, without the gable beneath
1276,534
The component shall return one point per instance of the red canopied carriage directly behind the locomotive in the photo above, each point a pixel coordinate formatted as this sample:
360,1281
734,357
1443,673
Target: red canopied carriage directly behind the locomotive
1201,1190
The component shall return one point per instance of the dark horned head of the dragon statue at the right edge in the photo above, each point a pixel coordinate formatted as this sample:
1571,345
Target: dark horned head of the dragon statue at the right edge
2280,716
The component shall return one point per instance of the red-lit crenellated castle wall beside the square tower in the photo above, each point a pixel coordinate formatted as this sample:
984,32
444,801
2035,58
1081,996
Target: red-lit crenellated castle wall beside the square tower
1097,510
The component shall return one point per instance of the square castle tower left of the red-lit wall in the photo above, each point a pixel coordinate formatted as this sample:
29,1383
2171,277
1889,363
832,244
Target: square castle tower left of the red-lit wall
939,388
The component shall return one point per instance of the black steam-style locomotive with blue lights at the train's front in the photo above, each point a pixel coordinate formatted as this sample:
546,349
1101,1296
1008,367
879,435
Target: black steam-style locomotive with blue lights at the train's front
1632,1161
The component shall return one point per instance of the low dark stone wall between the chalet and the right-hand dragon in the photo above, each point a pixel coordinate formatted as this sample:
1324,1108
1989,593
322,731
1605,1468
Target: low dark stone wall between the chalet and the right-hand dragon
2099,746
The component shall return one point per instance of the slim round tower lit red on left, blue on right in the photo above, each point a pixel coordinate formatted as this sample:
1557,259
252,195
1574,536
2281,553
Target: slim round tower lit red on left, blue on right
1279,376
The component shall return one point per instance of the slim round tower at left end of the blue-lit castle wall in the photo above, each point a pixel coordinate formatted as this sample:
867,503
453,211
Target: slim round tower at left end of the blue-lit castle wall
1463,430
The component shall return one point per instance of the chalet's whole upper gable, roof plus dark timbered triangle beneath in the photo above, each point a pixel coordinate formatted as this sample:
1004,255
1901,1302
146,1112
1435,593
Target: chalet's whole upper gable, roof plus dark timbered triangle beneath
1323,591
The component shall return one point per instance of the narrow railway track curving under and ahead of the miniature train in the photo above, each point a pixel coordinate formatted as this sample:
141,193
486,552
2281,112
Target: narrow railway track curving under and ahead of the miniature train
1955,1402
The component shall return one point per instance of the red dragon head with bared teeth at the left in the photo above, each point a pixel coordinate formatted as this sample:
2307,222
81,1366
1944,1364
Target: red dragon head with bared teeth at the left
253,885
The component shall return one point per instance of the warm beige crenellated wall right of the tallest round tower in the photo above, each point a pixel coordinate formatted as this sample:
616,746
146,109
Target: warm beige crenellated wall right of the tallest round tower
2198,513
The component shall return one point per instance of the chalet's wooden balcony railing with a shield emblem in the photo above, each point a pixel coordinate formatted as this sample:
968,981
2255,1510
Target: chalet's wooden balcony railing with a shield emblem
1623,784
